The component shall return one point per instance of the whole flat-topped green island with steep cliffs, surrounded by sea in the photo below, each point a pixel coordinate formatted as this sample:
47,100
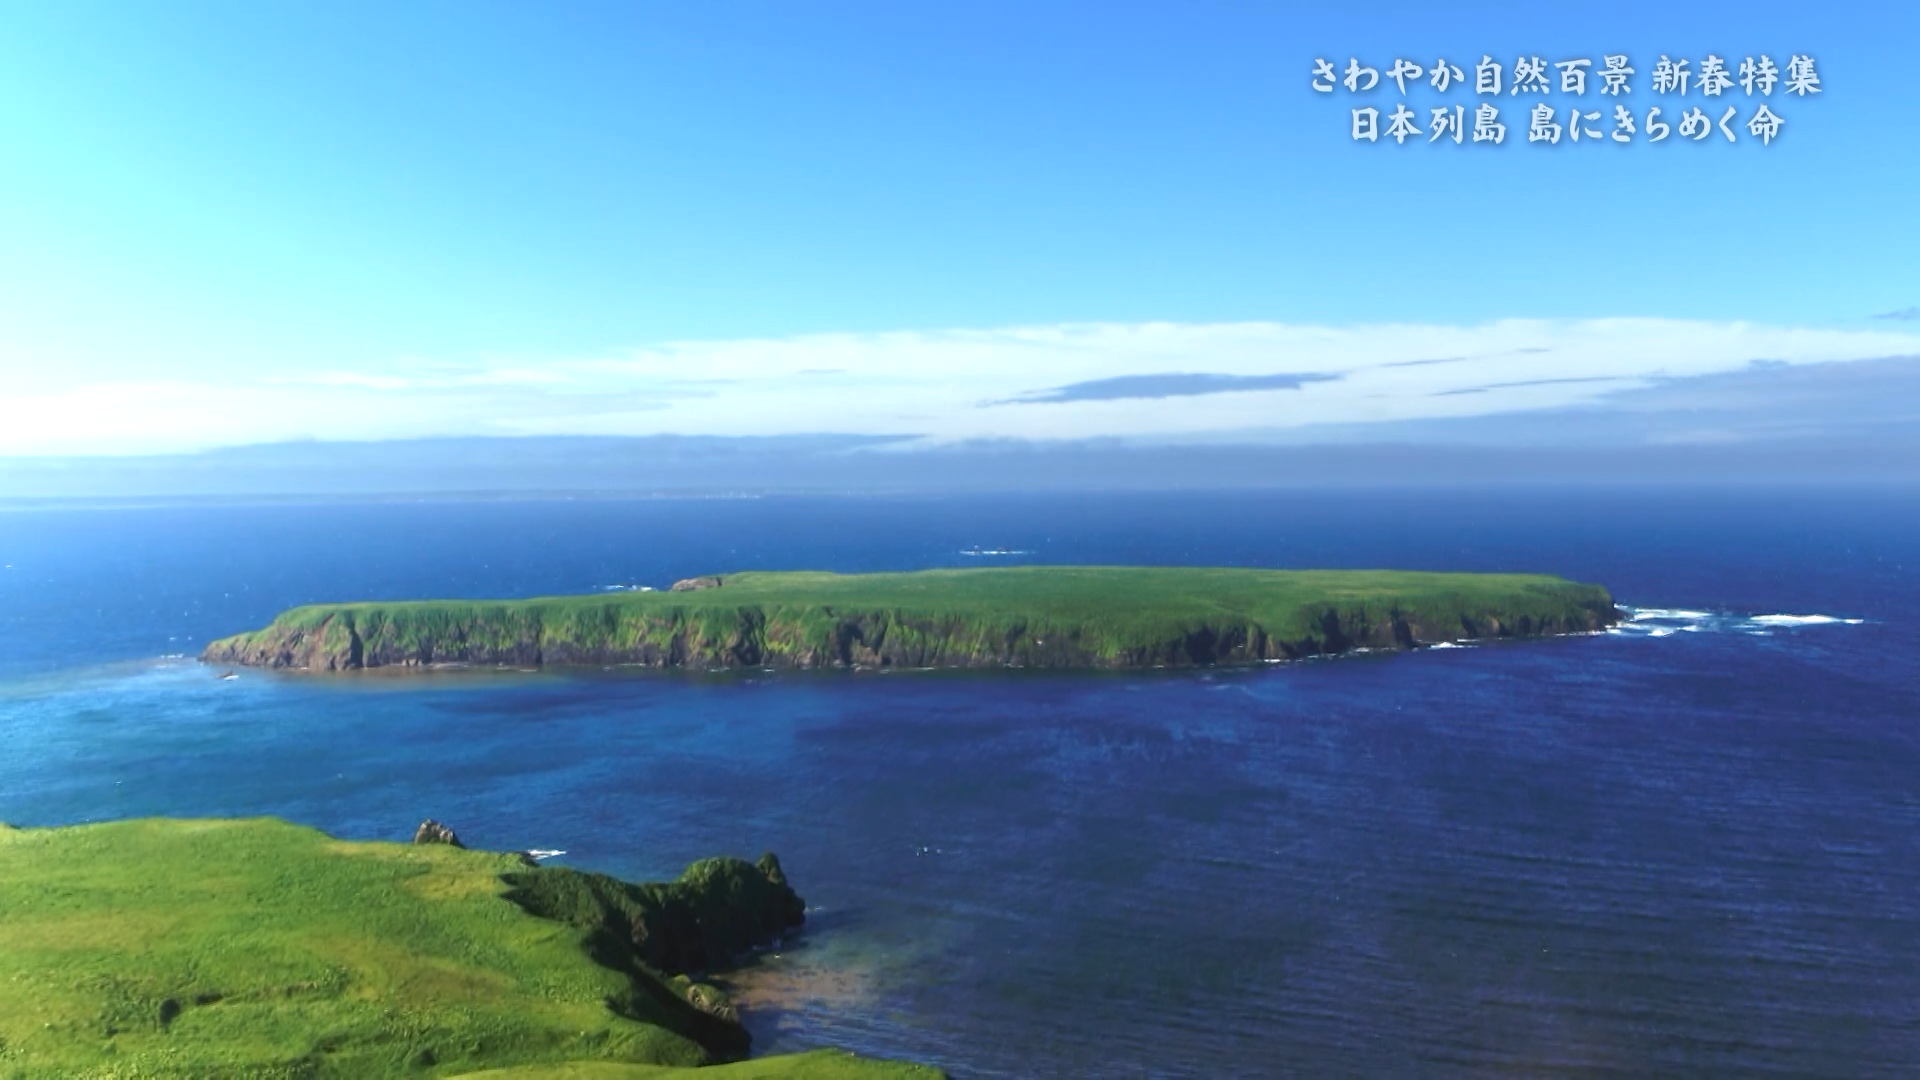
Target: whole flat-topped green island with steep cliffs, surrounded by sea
996,618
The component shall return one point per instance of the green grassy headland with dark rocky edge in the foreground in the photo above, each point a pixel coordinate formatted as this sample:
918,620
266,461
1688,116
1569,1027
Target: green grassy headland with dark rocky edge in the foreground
264,950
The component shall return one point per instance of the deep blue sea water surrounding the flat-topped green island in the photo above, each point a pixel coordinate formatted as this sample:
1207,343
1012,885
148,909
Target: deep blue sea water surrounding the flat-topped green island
1691,848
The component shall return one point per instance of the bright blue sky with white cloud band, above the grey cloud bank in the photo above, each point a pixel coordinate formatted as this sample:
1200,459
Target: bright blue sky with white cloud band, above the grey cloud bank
387,220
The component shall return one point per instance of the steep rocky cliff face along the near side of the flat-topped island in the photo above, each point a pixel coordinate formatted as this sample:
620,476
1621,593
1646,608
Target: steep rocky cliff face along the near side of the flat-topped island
884,639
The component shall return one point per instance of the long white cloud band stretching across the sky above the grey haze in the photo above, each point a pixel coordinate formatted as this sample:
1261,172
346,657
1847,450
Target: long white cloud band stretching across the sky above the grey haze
946,385
